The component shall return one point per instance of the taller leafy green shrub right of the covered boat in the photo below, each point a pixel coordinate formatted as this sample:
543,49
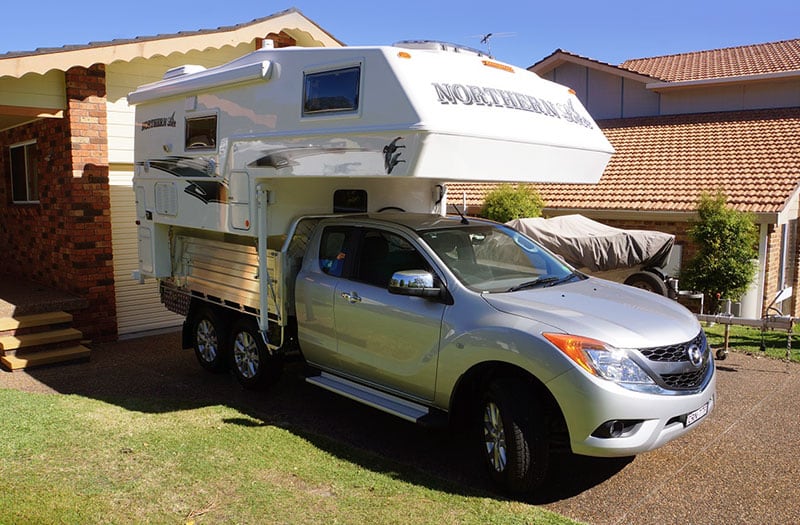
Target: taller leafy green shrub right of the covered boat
727,247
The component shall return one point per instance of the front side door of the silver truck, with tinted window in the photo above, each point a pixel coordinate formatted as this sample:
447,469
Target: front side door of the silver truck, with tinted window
383,338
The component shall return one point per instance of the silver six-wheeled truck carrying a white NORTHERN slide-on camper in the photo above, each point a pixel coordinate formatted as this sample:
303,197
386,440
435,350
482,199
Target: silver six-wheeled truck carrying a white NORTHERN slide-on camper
293,202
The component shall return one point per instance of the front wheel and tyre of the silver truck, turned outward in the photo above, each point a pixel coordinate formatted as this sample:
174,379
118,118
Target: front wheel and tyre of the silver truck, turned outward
513,436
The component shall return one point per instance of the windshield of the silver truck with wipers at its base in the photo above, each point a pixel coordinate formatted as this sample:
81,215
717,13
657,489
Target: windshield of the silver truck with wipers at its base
496,259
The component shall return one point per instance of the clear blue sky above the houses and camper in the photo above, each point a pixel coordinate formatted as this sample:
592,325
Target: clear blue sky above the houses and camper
525,30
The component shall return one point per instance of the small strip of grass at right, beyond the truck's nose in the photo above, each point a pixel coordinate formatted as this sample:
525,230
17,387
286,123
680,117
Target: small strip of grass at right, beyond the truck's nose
749,340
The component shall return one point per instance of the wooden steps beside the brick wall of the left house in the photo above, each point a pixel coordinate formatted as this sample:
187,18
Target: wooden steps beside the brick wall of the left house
40,339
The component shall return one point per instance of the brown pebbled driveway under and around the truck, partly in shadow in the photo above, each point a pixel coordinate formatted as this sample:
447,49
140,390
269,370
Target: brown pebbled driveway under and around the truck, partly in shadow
741,465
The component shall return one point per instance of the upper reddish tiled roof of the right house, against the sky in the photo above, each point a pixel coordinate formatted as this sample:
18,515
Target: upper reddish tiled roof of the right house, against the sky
772,57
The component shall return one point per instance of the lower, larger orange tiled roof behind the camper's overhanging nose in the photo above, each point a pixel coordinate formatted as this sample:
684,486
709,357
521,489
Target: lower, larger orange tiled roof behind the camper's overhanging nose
663,164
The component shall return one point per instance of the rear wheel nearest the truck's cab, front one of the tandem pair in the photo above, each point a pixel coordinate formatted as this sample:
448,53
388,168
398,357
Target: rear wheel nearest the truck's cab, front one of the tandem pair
252,363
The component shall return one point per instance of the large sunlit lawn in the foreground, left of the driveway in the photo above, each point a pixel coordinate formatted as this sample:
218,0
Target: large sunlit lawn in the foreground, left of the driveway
71,459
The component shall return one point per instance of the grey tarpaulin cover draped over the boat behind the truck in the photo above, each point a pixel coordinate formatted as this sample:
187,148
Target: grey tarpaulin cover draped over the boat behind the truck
585,243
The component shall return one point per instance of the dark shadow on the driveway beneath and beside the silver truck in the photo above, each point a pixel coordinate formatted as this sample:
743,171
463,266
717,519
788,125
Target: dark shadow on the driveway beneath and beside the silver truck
154,375
